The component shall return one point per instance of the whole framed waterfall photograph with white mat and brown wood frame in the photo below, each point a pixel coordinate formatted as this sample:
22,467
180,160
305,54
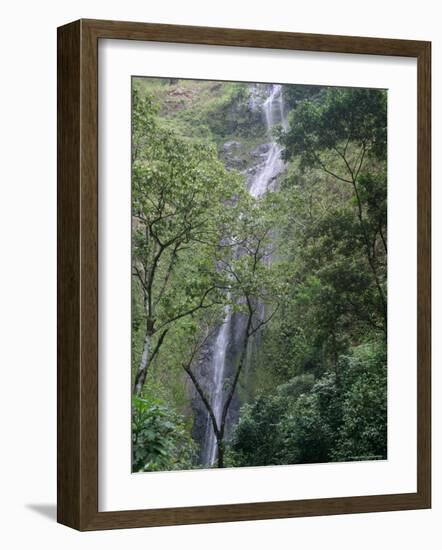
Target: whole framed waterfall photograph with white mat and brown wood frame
243,275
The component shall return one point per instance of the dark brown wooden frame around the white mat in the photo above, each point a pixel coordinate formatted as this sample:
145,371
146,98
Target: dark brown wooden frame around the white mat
78,268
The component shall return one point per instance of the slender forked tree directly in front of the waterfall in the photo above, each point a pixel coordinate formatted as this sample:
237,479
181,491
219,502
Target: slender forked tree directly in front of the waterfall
255,289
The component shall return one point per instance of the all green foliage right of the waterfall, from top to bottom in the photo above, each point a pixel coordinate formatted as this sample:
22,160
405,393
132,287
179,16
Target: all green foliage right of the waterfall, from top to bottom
331,324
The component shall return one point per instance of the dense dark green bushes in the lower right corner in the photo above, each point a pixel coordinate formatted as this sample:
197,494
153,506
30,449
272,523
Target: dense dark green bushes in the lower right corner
337,418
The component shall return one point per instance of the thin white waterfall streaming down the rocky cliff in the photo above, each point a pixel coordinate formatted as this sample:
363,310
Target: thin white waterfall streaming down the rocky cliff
267,171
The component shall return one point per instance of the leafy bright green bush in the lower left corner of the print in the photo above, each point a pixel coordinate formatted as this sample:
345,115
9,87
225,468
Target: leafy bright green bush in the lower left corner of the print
159,438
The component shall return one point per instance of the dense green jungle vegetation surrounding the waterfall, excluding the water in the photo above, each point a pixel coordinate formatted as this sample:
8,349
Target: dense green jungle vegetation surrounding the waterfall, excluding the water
303,268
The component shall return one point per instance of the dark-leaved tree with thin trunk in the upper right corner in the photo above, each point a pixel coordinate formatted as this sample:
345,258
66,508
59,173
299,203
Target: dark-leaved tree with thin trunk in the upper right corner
337,132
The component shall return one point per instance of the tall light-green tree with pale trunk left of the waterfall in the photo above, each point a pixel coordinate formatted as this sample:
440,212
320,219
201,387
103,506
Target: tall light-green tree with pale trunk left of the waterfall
179,196
